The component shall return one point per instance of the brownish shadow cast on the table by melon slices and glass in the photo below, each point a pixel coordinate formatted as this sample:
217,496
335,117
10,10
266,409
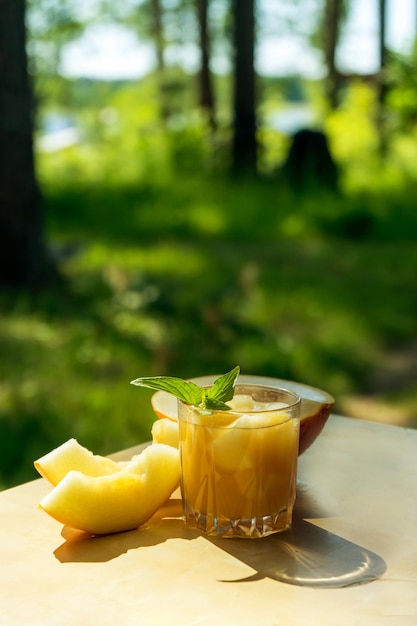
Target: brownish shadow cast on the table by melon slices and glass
305,555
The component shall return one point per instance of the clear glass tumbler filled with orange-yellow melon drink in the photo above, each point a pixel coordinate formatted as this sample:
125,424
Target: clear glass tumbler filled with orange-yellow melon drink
239,467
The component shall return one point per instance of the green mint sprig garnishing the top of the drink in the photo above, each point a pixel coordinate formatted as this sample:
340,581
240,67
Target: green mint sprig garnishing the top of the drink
212,398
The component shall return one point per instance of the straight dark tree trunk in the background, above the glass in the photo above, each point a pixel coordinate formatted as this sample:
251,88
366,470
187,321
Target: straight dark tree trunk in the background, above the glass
244,149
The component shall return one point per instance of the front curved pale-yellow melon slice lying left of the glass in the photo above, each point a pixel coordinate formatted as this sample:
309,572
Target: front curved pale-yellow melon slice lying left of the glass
116,502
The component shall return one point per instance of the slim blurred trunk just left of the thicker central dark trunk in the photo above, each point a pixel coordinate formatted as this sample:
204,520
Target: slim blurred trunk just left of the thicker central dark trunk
206,93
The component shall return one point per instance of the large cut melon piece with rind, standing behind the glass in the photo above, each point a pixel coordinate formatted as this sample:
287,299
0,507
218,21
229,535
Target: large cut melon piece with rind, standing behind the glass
316,404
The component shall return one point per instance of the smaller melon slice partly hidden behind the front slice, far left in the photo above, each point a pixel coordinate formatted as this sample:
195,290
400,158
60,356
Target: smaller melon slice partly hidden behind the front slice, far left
55,465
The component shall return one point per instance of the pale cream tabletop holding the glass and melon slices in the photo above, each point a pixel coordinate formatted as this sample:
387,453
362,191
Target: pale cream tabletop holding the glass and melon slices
350,558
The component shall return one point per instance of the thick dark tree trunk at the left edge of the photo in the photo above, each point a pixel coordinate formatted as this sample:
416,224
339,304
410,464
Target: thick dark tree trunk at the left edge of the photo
23,252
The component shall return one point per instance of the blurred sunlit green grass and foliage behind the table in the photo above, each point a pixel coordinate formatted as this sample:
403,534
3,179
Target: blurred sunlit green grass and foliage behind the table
169,267
